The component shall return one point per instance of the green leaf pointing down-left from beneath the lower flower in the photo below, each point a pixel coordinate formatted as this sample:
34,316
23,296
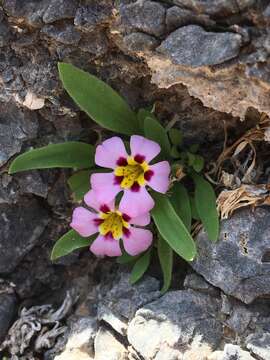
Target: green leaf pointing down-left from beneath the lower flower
69,242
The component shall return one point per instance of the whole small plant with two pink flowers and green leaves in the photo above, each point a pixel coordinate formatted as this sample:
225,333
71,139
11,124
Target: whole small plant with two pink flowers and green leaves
145,182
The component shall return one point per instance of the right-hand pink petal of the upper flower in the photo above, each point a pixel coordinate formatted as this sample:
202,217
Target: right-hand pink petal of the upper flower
160,180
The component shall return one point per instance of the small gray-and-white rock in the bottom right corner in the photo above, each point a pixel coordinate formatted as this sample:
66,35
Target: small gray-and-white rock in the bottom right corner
259,345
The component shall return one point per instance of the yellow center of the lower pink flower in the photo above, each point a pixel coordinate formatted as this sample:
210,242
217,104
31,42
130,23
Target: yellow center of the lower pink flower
113,224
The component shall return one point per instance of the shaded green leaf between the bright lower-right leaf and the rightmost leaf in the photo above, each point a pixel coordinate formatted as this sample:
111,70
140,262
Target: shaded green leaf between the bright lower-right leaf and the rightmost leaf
181,203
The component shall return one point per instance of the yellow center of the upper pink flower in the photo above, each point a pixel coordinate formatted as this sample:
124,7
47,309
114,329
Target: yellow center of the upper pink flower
132,172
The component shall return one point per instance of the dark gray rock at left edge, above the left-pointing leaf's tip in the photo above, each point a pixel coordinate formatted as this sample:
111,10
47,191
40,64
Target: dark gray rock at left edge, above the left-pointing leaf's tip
16,126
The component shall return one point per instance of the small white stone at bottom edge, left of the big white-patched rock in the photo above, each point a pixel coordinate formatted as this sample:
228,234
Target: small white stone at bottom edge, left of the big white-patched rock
108,347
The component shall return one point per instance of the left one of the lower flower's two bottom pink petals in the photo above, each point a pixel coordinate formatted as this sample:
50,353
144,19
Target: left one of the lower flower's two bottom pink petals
105,246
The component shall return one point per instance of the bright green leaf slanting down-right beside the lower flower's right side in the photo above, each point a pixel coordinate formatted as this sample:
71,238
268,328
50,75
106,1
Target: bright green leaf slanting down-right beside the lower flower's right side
172,228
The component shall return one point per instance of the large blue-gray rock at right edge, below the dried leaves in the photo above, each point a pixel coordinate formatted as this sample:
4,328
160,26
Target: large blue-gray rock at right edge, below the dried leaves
239,262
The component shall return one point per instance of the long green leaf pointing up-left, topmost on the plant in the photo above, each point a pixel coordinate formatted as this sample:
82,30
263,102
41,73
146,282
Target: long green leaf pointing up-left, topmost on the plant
98,100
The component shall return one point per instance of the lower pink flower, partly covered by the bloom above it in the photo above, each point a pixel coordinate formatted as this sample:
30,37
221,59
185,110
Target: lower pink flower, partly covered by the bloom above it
111,224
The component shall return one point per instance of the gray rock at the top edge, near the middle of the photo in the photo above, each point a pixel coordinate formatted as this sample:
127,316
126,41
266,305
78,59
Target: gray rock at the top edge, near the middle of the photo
139,16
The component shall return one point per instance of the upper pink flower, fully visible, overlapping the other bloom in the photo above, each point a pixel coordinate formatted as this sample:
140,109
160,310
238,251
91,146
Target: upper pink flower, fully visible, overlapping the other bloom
131,174
